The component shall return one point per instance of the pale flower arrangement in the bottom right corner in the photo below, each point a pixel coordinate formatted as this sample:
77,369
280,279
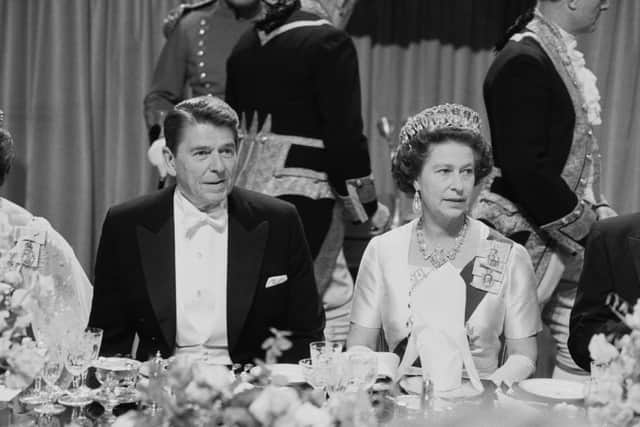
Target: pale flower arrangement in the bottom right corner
614,392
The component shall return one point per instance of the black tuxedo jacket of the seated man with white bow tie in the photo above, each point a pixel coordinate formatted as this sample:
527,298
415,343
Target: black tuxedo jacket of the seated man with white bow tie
135,290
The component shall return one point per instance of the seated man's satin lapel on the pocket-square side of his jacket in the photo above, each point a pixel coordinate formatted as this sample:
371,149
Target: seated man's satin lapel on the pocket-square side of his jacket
247,242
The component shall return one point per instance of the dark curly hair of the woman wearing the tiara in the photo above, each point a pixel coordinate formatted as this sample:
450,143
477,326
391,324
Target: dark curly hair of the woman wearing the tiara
409,158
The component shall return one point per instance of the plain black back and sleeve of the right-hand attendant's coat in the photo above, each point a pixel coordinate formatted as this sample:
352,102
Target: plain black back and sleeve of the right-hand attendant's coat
532,121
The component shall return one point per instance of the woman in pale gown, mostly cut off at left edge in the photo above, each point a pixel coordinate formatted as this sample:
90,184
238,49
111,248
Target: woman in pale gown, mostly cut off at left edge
61,292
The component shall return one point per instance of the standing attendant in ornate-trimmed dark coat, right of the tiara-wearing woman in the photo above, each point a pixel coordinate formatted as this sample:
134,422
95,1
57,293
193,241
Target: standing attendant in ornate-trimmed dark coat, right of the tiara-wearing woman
543,105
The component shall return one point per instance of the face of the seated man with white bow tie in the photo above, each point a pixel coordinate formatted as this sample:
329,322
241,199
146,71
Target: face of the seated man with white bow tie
204,164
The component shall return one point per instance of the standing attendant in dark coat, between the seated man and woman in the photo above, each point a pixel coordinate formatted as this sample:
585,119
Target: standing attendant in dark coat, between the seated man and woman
294,79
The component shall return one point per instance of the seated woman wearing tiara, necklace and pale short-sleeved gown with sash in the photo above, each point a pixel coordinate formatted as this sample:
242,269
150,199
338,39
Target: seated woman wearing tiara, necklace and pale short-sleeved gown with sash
445,271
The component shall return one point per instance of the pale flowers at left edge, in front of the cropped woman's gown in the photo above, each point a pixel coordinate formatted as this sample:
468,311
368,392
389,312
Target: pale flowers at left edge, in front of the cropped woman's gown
19,360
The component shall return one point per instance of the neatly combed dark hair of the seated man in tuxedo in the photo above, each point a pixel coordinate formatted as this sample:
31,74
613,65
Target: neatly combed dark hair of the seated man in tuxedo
201,110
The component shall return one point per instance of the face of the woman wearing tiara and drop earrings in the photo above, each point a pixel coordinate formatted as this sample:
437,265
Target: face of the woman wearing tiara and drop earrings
446,181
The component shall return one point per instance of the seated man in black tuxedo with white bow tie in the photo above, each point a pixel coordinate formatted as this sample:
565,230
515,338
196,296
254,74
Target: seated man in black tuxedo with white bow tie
204,267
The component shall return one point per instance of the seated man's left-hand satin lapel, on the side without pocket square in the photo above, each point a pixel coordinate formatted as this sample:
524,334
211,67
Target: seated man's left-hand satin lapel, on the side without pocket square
157,254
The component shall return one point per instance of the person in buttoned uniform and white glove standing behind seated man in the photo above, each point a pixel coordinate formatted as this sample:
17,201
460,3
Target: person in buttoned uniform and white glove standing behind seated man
200,37
